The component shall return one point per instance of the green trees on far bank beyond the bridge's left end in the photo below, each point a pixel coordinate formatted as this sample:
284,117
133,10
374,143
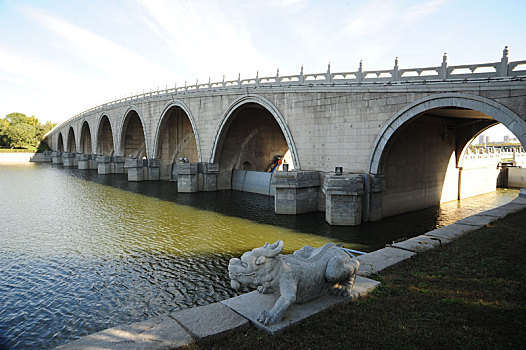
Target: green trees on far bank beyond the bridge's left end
19,131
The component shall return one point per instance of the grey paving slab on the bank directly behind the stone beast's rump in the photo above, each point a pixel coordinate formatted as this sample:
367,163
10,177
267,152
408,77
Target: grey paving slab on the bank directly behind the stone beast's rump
380,259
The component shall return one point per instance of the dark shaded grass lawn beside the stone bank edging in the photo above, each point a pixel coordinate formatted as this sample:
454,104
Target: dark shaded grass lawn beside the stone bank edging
469,294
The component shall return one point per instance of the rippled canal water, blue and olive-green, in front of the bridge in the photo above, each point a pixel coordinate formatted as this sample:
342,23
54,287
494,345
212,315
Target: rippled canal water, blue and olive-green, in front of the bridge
80,252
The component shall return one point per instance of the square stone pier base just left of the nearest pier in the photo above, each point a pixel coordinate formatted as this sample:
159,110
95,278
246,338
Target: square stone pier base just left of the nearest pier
297,191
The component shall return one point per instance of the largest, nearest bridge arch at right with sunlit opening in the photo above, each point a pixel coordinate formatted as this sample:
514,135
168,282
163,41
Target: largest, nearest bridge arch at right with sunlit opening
419,150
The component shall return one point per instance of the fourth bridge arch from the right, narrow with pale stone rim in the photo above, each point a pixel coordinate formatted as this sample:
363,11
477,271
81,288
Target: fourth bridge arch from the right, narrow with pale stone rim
133,138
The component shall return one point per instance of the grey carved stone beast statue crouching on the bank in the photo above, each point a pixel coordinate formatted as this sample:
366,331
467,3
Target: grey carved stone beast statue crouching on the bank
296,278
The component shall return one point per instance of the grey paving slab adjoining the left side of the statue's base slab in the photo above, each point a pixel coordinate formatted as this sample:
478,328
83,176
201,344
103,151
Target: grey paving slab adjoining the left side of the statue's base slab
206,322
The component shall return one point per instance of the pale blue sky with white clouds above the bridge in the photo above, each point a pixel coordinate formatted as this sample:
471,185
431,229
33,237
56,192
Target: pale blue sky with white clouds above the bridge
59,58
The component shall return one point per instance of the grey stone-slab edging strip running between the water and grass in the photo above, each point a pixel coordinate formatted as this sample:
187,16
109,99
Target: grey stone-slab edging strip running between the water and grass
216,320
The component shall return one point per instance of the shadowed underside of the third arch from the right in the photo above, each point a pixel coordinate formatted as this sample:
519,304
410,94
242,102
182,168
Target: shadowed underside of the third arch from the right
176,141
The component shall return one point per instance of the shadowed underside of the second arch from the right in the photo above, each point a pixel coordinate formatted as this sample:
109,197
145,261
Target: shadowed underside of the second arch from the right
250,140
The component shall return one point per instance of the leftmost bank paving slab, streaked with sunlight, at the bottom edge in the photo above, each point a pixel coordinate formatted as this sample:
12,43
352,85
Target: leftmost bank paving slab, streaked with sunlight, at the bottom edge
155,333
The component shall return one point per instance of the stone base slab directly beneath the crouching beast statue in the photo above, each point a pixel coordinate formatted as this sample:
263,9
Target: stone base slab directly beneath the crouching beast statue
250,305
